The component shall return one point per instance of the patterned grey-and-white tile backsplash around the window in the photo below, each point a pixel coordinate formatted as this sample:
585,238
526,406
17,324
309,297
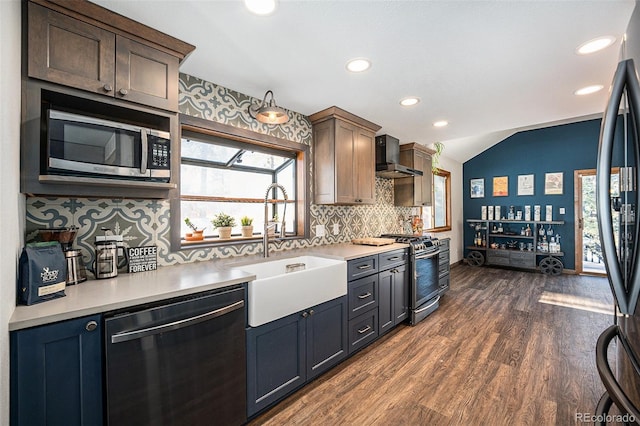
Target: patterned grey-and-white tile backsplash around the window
146,222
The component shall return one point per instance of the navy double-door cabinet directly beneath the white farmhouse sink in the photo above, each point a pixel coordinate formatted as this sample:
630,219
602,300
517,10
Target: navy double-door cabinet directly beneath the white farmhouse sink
283,354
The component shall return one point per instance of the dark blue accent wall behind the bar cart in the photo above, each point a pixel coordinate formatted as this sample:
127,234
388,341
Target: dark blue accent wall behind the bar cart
562,148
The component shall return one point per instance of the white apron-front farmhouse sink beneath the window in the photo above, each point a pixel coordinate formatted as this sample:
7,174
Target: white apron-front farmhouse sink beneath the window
276,293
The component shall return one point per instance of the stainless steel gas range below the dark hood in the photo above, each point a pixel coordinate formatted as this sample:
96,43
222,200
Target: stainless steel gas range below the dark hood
424,289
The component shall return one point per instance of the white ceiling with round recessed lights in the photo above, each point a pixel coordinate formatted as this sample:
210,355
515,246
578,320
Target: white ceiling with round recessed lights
488,67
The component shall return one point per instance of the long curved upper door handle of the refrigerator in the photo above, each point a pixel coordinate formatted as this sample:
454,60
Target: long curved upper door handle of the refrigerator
625,289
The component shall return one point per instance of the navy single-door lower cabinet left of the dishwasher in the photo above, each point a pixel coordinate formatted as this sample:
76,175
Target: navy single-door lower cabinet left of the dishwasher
56,374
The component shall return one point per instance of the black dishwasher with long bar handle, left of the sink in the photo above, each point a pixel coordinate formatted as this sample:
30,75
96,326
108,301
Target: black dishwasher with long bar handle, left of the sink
179,363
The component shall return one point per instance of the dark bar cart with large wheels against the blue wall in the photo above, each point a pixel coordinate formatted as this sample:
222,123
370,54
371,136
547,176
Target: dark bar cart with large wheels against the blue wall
547,262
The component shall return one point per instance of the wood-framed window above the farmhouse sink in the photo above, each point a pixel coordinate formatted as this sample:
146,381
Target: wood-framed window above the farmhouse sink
225,169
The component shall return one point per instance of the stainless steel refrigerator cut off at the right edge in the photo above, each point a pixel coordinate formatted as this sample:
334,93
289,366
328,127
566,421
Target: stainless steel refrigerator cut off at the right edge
617,207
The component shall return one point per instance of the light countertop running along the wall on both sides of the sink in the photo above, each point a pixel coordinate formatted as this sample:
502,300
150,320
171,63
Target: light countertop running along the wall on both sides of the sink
97,296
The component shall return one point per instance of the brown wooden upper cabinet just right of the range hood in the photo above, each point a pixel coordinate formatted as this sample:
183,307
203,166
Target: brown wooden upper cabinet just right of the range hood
415,190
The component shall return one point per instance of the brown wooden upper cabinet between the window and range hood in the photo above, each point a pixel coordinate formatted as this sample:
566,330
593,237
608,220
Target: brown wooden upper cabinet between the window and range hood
344,158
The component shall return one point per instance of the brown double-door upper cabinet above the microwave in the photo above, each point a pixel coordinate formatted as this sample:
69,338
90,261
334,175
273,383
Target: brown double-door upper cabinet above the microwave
73,46
